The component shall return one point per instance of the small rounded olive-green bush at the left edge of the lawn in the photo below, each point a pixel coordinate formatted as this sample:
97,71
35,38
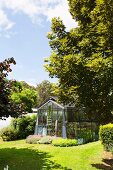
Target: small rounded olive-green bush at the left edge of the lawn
8,134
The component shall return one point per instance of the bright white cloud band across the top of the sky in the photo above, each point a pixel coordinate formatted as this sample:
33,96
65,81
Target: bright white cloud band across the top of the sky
34,9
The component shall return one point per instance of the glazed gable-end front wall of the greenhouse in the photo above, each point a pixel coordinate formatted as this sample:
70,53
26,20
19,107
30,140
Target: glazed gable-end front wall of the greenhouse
50,117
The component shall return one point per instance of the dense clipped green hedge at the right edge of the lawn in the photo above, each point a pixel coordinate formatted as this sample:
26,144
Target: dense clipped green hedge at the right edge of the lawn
106,136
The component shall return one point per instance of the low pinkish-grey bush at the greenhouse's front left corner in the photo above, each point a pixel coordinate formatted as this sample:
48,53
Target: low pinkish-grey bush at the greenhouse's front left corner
33,139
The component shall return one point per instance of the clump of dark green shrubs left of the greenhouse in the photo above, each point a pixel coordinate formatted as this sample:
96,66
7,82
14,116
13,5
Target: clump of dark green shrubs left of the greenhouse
20,128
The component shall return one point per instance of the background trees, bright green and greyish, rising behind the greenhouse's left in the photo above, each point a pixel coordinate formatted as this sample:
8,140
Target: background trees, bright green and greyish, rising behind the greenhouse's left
27,96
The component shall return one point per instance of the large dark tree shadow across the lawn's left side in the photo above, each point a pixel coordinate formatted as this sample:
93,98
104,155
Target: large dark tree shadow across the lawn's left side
27,159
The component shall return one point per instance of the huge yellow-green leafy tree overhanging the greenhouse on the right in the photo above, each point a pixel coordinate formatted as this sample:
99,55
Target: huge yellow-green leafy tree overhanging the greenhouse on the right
82,58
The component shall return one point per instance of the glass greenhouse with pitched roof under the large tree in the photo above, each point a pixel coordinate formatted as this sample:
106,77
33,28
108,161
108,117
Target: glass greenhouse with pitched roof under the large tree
54,119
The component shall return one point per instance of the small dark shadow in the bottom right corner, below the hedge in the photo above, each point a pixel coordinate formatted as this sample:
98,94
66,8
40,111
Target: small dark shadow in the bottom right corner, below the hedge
106,165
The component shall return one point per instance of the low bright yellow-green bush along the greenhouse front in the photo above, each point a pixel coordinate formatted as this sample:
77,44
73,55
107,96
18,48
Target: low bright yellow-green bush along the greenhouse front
64,142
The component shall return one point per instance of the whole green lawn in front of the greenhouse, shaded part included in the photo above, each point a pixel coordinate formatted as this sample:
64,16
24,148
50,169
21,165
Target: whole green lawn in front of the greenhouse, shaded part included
21,156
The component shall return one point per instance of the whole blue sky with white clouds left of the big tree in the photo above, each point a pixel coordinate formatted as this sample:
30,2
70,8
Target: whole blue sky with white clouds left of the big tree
24,25
